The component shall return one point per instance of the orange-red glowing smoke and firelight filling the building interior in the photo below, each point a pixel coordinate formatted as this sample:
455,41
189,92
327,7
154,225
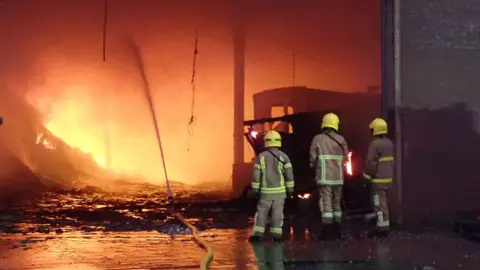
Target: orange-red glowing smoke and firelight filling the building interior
51,52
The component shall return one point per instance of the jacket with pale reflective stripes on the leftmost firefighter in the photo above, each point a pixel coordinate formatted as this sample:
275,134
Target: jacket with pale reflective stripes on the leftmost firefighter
271,176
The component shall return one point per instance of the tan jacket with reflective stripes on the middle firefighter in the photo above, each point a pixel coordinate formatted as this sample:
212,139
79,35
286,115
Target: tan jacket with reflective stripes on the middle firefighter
328,157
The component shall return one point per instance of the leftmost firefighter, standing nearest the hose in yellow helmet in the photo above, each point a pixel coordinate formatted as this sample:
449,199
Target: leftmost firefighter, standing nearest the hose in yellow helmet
272,180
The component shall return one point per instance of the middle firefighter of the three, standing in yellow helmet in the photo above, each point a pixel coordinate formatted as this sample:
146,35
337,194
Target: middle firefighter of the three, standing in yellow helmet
328,154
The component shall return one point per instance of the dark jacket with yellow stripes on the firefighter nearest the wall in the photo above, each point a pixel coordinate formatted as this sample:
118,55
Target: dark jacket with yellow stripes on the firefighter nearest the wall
379,164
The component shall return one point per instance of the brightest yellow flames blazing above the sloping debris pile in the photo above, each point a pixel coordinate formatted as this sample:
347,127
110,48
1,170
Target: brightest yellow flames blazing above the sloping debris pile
70,119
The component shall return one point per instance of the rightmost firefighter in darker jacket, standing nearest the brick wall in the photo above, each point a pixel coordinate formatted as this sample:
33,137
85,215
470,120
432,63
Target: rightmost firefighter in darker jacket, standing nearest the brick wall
379,169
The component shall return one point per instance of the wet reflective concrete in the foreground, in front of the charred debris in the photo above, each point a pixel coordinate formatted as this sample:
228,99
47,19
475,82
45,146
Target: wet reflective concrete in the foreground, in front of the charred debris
151,250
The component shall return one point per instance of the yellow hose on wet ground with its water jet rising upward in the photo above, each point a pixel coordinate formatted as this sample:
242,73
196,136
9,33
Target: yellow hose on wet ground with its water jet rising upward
208,257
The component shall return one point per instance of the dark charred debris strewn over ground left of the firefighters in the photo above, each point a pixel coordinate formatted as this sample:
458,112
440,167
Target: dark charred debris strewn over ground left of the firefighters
144,208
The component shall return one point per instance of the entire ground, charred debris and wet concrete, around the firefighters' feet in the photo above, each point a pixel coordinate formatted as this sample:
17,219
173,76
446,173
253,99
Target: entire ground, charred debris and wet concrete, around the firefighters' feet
133,231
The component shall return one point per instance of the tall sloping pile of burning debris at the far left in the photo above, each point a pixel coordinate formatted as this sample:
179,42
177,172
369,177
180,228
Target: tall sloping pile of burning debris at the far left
32,158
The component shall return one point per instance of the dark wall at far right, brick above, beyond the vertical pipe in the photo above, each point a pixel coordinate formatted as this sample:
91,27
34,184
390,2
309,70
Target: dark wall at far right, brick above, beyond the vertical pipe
440,69
